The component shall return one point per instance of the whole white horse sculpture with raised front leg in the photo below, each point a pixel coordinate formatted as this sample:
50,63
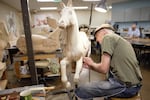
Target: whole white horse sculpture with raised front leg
77,43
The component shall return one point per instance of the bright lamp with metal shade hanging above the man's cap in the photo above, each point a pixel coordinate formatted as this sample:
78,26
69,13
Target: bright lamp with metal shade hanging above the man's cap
101,6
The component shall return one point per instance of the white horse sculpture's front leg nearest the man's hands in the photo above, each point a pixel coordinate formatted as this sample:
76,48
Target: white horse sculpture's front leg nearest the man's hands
78,69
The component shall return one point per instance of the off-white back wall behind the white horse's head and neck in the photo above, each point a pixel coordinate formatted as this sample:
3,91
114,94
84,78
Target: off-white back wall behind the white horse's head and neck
83,16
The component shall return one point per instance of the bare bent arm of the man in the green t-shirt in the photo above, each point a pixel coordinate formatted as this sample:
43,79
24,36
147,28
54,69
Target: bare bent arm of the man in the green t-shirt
102,67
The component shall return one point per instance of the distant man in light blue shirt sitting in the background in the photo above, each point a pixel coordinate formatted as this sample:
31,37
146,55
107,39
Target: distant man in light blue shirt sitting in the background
133,31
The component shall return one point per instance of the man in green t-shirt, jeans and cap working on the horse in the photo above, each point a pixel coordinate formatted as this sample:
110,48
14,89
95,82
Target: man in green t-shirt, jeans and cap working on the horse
118,61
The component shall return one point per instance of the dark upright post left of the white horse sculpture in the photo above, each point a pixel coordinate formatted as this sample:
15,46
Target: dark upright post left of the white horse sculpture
27,31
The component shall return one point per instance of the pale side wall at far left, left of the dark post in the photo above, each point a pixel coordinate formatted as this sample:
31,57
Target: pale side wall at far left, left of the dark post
5,12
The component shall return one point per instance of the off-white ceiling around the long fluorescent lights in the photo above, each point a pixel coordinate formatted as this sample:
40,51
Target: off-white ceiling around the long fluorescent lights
34,5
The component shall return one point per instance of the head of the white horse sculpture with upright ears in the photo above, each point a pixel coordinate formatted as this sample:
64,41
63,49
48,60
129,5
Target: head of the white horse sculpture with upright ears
68,16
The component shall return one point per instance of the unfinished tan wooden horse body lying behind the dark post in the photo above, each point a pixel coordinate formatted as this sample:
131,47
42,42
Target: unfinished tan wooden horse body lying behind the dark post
42,44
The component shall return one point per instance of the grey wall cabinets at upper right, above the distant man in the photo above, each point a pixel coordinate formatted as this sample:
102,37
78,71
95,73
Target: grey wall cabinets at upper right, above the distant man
131,14
